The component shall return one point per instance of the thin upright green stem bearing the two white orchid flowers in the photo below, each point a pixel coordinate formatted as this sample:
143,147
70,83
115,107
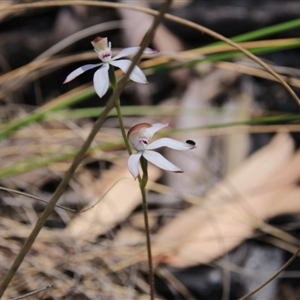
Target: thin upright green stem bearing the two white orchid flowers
142,181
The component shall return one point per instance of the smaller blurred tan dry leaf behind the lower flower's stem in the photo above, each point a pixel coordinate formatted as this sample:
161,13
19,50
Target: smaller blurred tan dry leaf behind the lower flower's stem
122,198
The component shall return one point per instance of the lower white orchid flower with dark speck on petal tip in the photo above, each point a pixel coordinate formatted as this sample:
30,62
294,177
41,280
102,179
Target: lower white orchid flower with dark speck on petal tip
140,137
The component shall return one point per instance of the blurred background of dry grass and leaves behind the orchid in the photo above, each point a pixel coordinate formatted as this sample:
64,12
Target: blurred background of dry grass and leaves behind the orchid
221,228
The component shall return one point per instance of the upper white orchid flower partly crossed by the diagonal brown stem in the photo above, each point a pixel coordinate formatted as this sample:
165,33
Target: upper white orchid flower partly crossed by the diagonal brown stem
101,78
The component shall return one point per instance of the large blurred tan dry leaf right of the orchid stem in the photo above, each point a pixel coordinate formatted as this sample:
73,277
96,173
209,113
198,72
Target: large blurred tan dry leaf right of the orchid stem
262,187
